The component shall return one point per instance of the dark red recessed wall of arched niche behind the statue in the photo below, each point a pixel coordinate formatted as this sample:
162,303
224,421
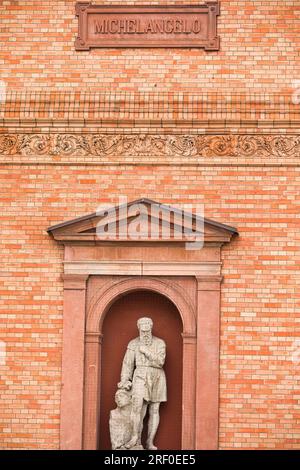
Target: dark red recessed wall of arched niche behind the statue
167,324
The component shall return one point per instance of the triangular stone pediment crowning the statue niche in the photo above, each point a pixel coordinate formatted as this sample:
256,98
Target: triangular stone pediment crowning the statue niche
143,220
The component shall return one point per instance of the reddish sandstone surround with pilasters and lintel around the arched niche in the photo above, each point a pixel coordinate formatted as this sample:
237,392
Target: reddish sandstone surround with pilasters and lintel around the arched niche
135,269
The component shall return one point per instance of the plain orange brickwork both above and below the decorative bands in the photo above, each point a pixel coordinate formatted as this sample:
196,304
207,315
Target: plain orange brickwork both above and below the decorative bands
259,400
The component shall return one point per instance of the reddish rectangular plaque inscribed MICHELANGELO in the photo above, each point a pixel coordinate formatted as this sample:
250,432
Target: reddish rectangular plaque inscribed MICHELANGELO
147,26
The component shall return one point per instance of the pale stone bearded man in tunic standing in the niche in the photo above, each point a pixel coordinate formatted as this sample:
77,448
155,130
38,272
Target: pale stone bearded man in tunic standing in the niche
143,375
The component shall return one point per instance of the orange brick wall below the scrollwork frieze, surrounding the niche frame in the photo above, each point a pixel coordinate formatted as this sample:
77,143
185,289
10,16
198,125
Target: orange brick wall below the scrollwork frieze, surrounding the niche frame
258,393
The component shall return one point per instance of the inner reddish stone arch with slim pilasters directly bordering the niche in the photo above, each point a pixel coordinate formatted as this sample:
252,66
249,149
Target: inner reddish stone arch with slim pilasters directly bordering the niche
101,301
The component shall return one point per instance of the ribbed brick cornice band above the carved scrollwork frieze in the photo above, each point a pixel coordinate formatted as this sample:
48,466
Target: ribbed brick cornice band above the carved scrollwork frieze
169,106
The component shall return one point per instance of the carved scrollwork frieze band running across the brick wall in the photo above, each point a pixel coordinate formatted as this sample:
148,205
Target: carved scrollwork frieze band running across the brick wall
105,145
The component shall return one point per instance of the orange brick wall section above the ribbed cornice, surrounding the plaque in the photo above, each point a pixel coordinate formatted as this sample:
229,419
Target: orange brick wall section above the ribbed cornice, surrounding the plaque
257,51
